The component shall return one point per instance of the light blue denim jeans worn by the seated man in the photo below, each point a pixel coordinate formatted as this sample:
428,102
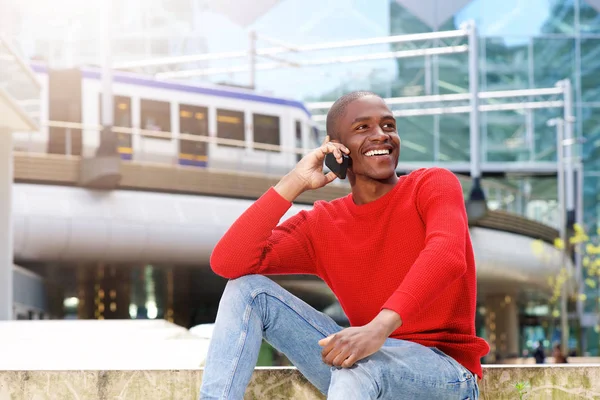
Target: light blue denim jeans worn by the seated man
254,307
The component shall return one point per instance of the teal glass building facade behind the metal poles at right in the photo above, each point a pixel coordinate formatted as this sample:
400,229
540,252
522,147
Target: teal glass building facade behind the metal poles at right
523,45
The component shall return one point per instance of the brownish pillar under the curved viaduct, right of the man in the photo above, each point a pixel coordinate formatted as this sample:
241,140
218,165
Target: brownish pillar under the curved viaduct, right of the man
502,325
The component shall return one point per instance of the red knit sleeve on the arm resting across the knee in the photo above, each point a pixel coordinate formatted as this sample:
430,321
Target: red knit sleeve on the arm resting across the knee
441,205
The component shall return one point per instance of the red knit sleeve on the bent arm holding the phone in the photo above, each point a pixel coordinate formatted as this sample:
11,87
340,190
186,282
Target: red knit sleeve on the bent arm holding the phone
256,244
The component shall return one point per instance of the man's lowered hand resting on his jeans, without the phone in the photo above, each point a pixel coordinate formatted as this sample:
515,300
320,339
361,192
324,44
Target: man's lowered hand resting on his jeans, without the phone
350,345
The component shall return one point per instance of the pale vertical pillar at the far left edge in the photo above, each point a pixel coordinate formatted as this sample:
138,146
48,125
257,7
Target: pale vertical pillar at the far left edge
6,240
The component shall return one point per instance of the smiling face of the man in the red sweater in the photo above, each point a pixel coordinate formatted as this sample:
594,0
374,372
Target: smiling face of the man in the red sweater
368,129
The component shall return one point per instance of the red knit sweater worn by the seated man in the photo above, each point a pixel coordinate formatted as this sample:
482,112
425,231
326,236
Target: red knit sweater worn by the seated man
408,251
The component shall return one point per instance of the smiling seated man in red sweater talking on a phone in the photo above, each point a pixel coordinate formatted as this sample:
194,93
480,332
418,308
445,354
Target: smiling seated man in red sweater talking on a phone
397,254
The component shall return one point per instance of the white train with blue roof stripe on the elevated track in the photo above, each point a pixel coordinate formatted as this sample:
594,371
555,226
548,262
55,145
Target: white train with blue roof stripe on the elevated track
142,102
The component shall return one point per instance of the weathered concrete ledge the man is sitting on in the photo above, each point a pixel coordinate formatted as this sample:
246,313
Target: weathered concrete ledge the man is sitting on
544,382
